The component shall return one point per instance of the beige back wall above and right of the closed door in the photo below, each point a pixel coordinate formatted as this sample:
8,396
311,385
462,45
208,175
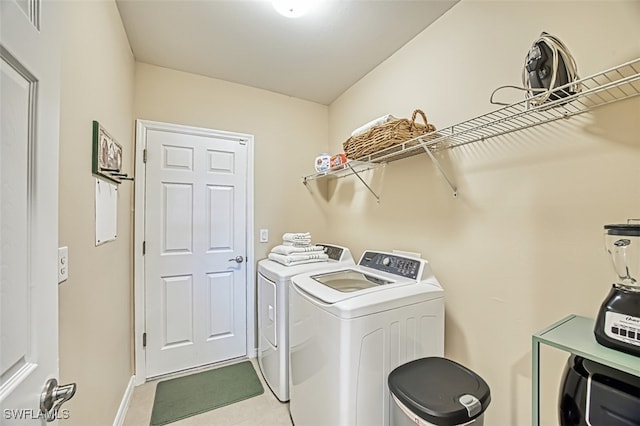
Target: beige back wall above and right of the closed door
288,134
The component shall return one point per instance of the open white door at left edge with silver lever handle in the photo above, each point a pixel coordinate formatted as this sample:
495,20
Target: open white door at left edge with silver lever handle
29,78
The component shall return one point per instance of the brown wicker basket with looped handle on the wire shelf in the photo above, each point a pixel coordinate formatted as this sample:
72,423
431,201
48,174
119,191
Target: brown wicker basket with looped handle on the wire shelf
385,135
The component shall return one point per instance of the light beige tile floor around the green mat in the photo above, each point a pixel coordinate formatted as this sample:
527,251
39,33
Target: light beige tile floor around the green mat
261,410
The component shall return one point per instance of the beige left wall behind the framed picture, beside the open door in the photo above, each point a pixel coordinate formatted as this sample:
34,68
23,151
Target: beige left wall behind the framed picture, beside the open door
96,301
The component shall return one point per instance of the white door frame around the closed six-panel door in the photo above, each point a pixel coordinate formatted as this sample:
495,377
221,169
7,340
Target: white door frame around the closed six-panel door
142,126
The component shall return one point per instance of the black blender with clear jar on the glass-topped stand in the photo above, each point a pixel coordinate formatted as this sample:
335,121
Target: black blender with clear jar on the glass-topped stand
618,323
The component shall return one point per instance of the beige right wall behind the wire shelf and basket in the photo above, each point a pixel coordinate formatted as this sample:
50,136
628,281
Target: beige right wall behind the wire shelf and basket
521,246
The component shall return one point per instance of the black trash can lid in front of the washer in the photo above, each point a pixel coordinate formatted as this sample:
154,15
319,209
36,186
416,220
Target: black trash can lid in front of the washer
440,391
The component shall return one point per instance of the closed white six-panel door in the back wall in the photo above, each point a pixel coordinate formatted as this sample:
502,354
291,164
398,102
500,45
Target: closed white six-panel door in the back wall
195,247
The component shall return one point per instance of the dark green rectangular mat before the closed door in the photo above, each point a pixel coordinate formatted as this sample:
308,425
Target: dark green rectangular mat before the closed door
197,393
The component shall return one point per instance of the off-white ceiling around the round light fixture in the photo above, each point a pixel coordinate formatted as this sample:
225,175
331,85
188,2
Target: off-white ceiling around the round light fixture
315,57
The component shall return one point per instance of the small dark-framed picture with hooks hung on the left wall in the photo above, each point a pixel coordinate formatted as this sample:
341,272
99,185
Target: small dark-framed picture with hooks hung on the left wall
107,155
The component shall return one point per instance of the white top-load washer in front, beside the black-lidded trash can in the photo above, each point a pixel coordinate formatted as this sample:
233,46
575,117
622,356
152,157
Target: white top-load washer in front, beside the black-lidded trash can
350,327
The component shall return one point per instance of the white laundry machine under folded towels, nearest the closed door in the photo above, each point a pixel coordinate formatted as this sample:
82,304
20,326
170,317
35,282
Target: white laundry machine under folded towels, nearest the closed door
273,317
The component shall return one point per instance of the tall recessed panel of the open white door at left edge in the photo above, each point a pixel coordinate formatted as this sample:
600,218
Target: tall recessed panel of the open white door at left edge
15,301
